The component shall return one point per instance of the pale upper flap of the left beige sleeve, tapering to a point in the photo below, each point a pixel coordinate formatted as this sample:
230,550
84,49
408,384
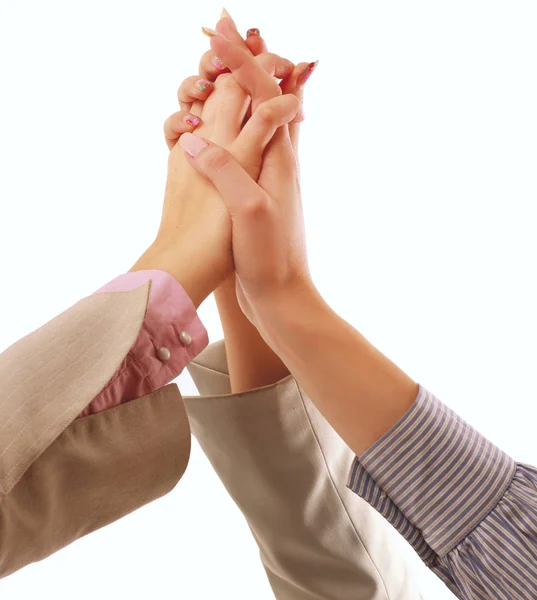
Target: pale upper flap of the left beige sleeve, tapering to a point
48,376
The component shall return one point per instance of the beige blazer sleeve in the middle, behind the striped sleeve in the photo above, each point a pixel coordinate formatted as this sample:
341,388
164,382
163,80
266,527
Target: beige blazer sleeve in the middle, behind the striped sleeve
286,469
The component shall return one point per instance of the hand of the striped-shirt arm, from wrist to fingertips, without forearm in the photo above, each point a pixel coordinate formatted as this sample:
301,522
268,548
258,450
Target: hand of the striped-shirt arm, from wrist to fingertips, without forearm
267,222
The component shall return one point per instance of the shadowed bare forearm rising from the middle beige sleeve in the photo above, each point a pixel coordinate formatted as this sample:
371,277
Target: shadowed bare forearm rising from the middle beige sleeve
252,363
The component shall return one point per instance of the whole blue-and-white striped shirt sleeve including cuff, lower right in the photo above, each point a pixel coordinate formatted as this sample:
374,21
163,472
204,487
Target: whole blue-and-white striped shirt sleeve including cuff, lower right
466,507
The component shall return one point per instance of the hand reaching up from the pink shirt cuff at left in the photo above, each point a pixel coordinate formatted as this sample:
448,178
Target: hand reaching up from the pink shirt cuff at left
192,208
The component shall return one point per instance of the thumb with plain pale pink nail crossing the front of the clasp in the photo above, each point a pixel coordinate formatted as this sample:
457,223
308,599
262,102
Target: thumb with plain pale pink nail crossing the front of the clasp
235,186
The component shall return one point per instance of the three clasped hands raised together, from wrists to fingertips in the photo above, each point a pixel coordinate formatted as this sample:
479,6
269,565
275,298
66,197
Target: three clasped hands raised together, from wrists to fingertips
232,201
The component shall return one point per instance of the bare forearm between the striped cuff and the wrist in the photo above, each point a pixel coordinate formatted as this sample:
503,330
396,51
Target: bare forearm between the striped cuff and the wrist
360,391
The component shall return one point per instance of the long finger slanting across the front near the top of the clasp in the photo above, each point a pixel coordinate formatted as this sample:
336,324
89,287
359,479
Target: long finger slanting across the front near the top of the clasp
248,72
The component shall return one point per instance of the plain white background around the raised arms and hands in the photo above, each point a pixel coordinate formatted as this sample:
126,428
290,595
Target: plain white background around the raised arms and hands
419,158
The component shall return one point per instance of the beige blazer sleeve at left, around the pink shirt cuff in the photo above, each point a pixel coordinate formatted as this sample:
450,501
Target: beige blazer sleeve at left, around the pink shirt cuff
63,477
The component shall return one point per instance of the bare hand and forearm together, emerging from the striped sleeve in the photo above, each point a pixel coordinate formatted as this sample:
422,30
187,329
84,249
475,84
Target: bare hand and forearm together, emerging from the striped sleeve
361,393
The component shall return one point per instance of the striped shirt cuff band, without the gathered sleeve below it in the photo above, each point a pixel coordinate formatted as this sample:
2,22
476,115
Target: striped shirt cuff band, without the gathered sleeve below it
432,476
